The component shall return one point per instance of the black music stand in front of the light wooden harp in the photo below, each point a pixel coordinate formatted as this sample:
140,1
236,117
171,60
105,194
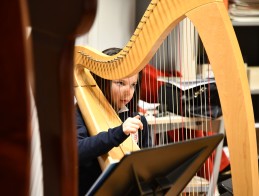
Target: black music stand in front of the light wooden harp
154,171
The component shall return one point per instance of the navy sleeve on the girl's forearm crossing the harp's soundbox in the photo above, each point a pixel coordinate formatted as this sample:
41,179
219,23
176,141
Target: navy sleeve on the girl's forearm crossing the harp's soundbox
90,147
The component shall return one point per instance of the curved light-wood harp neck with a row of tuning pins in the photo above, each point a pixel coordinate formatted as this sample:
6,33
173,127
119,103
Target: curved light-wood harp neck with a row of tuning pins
146,39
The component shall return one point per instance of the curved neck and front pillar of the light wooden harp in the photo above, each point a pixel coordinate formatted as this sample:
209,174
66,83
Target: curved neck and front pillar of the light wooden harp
211,20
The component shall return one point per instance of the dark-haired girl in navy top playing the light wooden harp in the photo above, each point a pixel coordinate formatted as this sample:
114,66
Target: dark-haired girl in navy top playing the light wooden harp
123,95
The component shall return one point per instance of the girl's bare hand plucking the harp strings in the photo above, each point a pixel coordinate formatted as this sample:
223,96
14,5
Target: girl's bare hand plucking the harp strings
132,125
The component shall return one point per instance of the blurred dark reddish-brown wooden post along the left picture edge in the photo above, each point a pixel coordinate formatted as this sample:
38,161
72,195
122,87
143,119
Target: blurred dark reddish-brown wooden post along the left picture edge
15,101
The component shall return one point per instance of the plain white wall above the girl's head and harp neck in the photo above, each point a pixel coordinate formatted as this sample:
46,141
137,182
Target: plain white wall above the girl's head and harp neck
113,26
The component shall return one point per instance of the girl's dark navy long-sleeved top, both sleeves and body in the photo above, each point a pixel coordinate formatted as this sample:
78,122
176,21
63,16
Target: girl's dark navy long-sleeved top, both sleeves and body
89,148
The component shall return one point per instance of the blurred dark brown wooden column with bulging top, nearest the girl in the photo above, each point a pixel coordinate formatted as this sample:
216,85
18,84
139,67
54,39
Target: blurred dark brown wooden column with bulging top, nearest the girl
53,35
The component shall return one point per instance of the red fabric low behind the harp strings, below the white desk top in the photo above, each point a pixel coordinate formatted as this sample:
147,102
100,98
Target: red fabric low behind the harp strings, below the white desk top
207,168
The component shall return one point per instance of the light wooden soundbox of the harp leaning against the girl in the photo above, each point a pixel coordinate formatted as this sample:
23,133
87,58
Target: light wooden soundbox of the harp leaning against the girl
98,113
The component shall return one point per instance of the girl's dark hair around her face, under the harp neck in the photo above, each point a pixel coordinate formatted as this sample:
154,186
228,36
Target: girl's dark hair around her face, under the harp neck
105,85
